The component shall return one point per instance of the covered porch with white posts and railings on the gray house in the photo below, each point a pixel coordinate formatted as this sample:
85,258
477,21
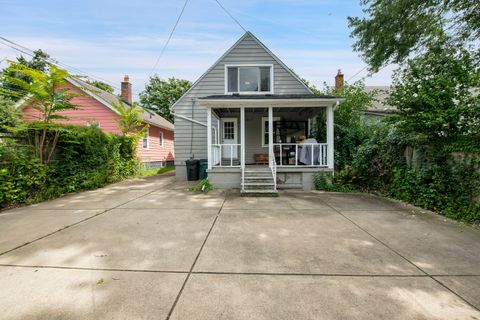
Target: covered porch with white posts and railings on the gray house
242,135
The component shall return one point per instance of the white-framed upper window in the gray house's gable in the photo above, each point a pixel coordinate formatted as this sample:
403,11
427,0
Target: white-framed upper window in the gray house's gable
249,79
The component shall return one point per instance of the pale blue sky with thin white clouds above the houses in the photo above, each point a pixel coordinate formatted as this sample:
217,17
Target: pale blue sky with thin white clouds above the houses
109,39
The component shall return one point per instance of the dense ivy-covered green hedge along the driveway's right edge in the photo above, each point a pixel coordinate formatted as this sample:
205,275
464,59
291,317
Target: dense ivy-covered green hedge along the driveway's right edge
433,179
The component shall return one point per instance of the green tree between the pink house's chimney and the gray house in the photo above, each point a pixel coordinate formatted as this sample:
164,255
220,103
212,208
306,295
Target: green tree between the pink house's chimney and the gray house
159,95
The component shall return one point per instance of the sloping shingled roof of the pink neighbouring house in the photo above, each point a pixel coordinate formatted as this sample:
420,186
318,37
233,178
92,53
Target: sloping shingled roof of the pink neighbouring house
108,99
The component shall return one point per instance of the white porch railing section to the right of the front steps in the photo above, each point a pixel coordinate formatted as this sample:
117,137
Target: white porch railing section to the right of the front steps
302,154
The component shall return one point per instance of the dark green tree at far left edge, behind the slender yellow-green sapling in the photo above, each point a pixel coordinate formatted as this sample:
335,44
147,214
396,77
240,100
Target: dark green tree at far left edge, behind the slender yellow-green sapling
13,91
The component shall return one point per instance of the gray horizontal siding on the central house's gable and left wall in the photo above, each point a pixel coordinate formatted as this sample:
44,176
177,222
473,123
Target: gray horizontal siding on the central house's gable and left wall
191,139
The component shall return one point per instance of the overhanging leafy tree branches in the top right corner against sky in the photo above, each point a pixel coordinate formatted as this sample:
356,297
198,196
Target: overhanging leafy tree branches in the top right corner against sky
393,30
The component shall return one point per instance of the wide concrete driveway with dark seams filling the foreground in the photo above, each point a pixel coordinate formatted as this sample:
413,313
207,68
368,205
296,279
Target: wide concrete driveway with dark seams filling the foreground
150,249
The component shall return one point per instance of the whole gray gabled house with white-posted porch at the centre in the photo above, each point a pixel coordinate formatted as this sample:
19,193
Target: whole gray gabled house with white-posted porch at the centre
248,115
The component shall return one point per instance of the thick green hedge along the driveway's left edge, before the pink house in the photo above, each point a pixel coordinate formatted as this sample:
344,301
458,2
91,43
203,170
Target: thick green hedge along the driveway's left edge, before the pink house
85,158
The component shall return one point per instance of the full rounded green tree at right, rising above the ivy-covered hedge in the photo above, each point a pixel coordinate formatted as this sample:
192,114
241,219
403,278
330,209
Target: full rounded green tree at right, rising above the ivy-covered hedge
436,94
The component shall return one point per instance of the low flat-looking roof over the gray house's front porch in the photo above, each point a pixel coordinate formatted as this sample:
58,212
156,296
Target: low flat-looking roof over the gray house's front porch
262,100
